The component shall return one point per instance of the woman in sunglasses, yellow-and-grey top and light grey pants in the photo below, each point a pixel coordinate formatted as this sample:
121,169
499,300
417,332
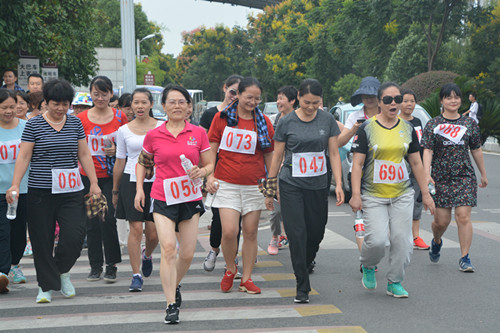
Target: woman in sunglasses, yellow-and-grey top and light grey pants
384,147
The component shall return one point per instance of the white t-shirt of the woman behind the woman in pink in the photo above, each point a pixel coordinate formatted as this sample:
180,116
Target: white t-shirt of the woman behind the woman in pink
129,145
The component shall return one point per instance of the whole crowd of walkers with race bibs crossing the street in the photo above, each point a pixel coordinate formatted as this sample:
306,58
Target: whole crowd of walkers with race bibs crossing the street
64,157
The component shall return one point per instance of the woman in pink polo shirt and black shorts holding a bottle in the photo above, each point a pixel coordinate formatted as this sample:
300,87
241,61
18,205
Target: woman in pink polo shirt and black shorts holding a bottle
177,201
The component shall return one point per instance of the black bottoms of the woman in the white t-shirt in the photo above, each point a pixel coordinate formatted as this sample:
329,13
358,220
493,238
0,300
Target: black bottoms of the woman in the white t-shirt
125,208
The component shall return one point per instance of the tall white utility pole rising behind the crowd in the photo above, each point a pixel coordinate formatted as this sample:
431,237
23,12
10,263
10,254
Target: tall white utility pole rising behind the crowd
128,45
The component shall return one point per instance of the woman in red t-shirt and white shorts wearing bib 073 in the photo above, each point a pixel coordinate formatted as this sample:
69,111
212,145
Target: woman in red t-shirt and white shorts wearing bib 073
242,136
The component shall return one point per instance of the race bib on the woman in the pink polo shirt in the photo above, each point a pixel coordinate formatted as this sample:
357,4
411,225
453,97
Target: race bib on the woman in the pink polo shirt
180,189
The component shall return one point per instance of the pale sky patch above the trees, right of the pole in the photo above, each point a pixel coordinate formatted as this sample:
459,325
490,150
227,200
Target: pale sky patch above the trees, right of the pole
185,15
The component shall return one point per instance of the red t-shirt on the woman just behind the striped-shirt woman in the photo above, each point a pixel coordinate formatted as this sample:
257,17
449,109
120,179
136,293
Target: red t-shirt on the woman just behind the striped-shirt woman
95,139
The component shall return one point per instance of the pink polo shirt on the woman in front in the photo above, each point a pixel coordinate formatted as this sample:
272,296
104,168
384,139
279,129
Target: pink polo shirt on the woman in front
166,150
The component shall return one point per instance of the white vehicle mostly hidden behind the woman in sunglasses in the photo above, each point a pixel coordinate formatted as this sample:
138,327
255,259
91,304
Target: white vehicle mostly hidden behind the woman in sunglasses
342,112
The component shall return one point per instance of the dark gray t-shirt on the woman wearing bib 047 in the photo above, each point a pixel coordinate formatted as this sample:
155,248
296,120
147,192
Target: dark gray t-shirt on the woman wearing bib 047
305,137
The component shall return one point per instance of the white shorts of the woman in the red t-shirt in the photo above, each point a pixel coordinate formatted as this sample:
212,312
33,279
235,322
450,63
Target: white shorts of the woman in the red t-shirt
242,198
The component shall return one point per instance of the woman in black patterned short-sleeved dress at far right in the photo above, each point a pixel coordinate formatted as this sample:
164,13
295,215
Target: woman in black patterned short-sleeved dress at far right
447,140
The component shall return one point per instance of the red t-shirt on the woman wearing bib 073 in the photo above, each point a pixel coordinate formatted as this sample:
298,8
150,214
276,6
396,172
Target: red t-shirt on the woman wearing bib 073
234,167
